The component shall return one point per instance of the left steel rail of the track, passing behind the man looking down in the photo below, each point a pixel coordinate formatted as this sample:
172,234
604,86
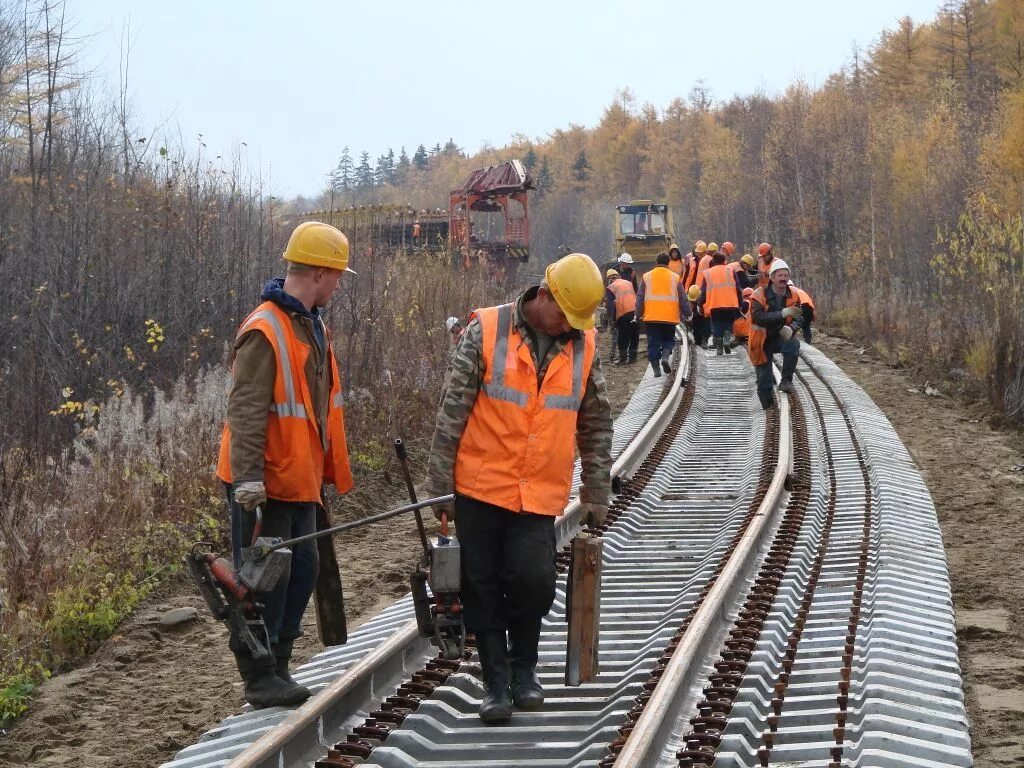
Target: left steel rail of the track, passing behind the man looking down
330,707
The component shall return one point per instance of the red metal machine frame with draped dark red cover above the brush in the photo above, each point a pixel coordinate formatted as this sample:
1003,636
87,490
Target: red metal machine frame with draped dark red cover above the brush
498,194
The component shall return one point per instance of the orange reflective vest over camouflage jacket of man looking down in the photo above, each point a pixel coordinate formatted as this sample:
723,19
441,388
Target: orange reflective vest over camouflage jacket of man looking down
519,448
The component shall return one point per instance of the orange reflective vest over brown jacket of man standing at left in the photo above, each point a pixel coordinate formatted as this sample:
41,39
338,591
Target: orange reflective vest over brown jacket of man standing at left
298,459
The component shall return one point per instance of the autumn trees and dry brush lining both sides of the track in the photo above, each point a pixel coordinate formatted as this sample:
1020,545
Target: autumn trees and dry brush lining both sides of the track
895,190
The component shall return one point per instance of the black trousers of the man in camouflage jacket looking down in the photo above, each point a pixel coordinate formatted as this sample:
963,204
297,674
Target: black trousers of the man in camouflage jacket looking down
508,568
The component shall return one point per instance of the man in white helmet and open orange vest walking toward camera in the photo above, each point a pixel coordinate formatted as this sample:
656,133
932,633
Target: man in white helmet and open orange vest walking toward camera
776,317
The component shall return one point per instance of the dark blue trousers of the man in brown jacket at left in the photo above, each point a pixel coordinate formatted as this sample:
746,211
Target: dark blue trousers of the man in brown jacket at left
286,605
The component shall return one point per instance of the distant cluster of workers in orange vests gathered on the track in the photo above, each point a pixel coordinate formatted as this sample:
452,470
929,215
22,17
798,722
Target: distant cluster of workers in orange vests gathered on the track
722,303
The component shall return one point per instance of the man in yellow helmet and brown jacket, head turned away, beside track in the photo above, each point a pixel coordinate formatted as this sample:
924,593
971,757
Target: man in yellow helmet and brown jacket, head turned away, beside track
284,439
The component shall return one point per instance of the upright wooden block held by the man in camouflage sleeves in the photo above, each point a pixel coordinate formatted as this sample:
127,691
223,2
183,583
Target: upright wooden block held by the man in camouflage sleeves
584,611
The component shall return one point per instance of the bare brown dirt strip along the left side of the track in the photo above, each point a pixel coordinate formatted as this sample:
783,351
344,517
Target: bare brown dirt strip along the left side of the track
149,692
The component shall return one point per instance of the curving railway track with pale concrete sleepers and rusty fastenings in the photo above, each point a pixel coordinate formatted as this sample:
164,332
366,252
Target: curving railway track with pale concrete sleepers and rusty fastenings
775,592
